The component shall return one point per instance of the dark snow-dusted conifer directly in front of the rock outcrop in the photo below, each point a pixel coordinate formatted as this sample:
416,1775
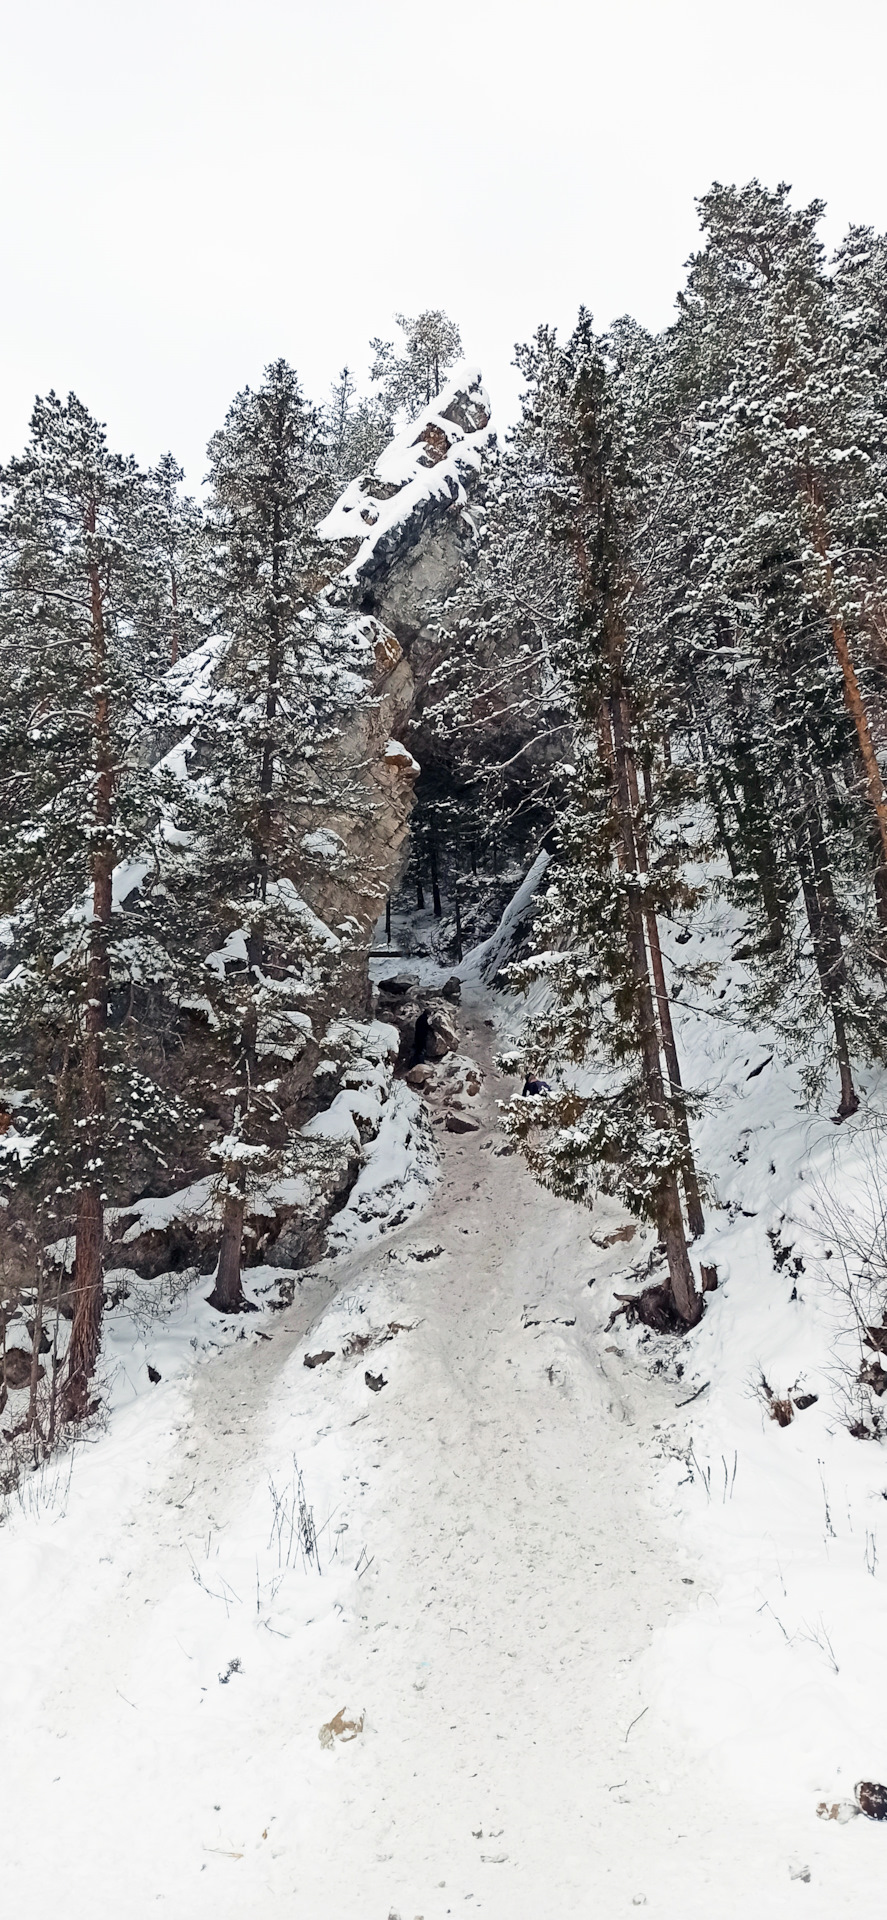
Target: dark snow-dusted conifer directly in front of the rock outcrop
251,949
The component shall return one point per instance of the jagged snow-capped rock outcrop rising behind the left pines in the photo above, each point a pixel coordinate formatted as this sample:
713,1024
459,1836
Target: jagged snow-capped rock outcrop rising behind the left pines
406,531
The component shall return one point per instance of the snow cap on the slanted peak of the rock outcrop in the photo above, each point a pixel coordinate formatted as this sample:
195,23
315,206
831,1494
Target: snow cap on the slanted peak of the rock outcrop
427,468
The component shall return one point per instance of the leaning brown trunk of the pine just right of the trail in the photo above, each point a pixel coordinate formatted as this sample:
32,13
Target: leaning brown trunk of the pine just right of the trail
669,1211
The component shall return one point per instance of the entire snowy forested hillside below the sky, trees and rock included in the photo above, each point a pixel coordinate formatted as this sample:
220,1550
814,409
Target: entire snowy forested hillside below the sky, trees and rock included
443,1116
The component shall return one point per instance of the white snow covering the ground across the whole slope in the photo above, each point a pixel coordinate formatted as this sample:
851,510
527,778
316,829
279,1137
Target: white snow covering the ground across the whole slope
606,1633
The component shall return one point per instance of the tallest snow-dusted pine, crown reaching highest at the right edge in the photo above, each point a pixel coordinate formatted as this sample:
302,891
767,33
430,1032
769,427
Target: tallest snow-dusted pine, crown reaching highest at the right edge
780,500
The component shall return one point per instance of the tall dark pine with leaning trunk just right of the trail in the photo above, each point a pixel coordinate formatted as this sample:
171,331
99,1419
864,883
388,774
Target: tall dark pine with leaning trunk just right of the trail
617,863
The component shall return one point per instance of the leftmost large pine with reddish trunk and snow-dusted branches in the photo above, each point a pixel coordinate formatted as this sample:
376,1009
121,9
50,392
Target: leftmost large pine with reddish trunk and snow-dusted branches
74,809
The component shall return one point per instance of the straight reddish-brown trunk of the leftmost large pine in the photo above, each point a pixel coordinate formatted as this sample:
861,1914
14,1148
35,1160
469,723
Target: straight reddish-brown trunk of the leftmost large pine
89,1216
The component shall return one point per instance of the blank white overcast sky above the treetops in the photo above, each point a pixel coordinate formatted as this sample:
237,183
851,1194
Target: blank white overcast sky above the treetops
193,187
